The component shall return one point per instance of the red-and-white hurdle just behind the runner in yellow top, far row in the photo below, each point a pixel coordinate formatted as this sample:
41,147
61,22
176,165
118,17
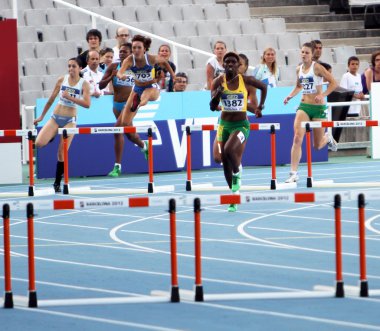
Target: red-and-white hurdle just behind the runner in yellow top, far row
253,127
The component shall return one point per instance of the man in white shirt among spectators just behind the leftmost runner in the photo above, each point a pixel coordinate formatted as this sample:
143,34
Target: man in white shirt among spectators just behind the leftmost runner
93,74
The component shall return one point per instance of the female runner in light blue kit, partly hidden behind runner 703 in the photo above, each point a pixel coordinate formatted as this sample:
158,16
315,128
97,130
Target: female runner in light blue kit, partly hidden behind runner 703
122,89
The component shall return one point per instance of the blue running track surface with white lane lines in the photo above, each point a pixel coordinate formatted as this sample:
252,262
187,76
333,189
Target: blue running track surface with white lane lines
279,247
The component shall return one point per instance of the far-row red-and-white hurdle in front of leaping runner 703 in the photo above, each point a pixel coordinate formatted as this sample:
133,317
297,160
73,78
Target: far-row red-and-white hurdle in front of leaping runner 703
113,130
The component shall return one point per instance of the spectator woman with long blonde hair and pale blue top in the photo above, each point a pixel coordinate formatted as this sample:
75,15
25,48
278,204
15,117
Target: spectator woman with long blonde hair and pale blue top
268,71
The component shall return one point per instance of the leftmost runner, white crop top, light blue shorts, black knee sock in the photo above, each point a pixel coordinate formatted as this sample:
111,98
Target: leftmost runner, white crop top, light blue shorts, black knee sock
73,90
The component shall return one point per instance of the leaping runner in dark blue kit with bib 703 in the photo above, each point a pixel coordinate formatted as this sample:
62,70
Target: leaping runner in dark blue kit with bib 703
145,88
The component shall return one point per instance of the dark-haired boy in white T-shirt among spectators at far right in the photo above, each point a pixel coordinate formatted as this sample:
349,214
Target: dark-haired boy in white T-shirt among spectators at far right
351,81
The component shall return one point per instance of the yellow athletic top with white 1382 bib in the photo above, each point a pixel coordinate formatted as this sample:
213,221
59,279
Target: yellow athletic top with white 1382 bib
234,100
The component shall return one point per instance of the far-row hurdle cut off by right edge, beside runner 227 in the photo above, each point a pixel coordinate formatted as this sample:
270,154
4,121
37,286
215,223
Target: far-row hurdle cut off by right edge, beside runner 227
333,124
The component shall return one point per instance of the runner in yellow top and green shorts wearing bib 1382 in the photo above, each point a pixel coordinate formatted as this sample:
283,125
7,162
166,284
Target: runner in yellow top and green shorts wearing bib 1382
233,90
